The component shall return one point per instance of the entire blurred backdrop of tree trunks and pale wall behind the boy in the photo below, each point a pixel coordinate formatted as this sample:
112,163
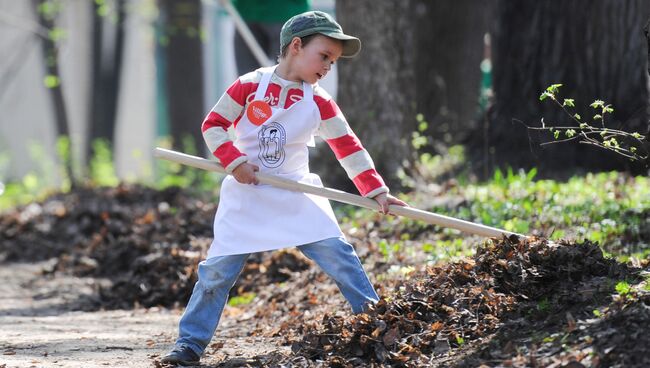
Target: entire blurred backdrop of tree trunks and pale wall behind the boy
441,89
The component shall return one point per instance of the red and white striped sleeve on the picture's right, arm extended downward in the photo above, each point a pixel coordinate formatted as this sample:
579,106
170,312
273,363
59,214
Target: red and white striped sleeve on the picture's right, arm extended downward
347,148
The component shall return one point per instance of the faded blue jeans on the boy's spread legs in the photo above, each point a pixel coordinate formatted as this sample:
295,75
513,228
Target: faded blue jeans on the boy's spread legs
217,276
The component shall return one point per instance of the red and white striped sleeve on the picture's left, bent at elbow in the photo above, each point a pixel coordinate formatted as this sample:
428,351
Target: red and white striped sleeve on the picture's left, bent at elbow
225,113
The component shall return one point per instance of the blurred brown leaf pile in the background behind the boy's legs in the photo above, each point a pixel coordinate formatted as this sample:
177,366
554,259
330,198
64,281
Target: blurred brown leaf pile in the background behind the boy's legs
146,242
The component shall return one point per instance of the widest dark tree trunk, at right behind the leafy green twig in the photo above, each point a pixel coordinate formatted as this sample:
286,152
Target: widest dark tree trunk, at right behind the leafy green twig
594,48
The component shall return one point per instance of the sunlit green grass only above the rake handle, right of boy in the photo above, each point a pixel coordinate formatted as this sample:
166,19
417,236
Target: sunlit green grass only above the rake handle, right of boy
608,208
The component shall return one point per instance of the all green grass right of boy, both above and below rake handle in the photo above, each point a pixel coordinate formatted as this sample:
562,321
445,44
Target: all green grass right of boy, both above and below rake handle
609,208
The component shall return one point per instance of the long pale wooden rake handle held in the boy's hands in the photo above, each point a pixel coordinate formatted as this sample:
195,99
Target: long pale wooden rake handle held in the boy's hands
340,196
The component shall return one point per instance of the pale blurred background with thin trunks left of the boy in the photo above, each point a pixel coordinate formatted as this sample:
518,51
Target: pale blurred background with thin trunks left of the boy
110,75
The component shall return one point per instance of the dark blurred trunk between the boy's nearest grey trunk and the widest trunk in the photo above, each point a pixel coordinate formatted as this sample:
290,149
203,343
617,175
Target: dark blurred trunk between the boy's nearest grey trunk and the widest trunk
450,48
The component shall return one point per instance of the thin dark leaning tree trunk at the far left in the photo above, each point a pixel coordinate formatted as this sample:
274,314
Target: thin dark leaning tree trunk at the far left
51,62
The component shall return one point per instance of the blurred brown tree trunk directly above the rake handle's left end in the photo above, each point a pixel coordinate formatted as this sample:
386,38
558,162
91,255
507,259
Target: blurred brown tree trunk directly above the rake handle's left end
184,73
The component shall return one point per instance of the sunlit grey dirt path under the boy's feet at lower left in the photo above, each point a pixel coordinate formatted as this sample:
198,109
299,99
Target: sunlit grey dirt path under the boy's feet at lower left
42,325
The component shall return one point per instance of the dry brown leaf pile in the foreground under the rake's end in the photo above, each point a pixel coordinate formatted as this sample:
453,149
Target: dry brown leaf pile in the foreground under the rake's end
454,305
